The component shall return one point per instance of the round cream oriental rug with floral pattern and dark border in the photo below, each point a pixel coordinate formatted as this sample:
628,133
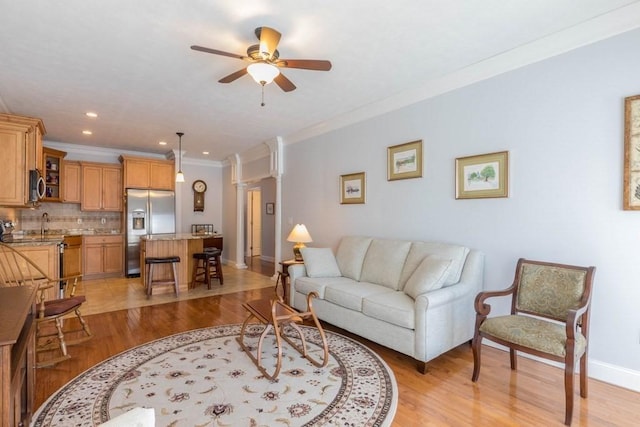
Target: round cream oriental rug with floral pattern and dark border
203,378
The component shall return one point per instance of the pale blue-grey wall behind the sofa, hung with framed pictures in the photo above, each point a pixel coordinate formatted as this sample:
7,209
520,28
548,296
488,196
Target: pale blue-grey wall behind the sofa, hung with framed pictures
562,122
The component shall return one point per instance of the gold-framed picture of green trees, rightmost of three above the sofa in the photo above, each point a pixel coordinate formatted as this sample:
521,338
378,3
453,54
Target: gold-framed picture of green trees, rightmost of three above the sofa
482,176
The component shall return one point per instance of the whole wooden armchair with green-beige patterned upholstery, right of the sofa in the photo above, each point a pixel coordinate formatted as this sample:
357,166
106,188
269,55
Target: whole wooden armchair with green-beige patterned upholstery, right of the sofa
549,319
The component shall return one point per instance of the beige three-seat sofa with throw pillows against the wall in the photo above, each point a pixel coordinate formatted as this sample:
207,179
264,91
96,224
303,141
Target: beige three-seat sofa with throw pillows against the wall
414,297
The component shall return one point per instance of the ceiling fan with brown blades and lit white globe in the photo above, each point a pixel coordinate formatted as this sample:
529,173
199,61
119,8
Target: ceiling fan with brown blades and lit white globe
265,61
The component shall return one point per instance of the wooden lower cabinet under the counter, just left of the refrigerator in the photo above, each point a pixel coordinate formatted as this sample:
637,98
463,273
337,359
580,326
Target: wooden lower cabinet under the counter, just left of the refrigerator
103,256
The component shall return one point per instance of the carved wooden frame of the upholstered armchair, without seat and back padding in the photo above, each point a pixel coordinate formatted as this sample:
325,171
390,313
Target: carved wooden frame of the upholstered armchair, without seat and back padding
576,321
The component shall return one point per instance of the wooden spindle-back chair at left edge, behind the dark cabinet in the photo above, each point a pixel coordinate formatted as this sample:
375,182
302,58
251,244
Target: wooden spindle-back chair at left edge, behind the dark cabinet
18,270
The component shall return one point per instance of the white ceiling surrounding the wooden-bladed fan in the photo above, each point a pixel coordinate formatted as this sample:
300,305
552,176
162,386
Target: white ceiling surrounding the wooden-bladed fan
130,62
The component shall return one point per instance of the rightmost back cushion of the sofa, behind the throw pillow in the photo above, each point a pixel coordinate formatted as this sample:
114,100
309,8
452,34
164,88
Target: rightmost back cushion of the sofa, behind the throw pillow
419,250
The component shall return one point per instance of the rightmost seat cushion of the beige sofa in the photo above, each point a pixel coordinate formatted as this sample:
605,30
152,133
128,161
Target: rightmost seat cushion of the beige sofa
393,307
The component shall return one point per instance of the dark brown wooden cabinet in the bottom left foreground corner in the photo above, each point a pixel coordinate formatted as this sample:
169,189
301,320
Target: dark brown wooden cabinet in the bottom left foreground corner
17,355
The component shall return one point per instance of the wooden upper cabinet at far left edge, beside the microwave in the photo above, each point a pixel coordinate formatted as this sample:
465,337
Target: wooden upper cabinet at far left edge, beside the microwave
21,142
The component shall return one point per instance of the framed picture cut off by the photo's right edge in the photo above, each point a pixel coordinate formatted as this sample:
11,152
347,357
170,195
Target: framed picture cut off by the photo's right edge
631,196
